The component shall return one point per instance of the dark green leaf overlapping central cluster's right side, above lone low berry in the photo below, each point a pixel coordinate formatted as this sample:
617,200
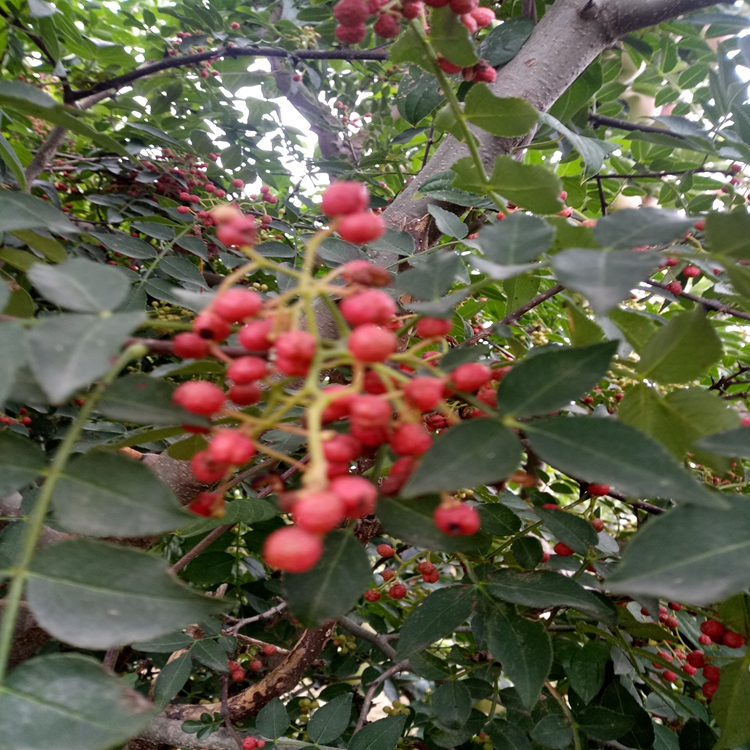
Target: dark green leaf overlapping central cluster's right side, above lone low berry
480,451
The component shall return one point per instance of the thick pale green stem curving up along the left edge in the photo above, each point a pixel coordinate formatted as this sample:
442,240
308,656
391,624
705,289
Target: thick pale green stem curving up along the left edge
36,520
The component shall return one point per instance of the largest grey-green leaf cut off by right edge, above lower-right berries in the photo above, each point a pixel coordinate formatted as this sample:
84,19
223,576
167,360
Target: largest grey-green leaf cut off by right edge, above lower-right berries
668,559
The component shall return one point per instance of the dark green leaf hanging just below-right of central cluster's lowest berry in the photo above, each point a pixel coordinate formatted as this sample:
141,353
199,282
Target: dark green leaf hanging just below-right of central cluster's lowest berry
334,585
